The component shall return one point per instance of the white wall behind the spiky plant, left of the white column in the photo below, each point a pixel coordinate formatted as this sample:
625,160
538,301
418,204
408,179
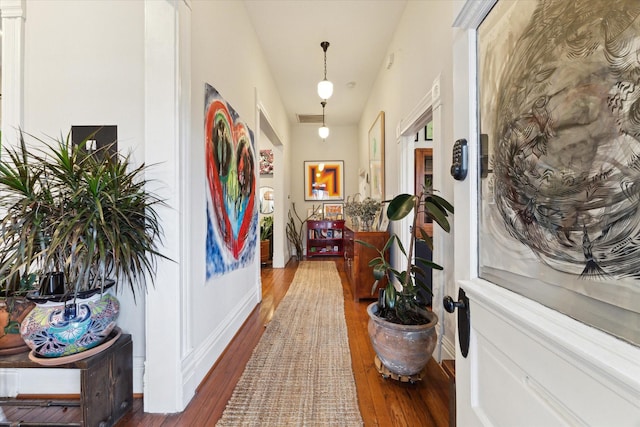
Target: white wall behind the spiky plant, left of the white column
80,71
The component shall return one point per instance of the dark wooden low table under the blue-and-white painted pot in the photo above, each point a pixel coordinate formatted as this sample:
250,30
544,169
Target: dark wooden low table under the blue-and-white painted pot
106,385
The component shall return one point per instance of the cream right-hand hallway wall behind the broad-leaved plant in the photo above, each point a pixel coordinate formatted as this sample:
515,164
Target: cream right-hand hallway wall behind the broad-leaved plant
422,51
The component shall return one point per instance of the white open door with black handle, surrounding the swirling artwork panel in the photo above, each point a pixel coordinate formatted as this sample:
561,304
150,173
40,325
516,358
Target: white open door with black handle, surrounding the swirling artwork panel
527,365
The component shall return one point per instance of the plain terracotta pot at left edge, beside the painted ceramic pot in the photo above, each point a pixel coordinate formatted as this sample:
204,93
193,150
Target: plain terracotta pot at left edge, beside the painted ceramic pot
15,309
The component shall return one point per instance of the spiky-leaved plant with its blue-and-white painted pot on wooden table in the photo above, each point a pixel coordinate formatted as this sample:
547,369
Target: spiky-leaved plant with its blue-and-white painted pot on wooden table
81,222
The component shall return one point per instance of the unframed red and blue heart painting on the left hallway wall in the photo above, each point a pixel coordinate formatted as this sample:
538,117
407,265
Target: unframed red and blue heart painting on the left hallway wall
232,216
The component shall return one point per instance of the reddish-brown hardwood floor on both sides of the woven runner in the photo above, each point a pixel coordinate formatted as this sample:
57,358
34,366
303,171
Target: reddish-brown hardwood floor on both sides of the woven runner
383,402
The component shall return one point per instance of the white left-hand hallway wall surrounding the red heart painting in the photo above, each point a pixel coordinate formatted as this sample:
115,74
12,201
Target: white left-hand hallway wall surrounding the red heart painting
227,56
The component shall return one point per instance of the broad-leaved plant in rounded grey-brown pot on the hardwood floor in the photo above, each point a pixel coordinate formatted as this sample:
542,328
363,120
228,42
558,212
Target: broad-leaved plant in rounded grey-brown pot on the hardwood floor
401,326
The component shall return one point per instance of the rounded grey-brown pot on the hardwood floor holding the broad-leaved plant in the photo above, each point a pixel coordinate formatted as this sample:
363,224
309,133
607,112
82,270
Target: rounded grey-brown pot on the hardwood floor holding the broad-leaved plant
403,349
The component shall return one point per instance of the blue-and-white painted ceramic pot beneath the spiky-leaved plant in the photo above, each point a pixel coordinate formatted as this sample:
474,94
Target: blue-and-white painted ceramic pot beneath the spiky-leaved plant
61,328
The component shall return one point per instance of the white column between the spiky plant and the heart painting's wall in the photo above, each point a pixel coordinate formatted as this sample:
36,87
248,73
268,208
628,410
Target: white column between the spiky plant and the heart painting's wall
167,89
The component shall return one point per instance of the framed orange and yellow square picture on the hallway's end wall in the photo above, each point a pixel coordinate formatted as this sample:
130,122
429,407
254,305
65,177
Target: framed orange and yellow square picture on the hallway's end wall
324,180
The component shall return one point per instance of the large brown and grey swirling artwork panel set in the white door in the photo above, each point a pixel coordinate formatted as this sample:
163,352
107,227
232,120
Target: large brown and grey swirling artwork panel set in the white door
560,205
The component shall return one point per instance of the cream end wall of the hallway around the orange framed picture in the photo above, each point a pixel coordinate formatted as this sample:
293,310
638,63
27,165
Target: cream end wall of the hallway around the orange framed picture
342,144
